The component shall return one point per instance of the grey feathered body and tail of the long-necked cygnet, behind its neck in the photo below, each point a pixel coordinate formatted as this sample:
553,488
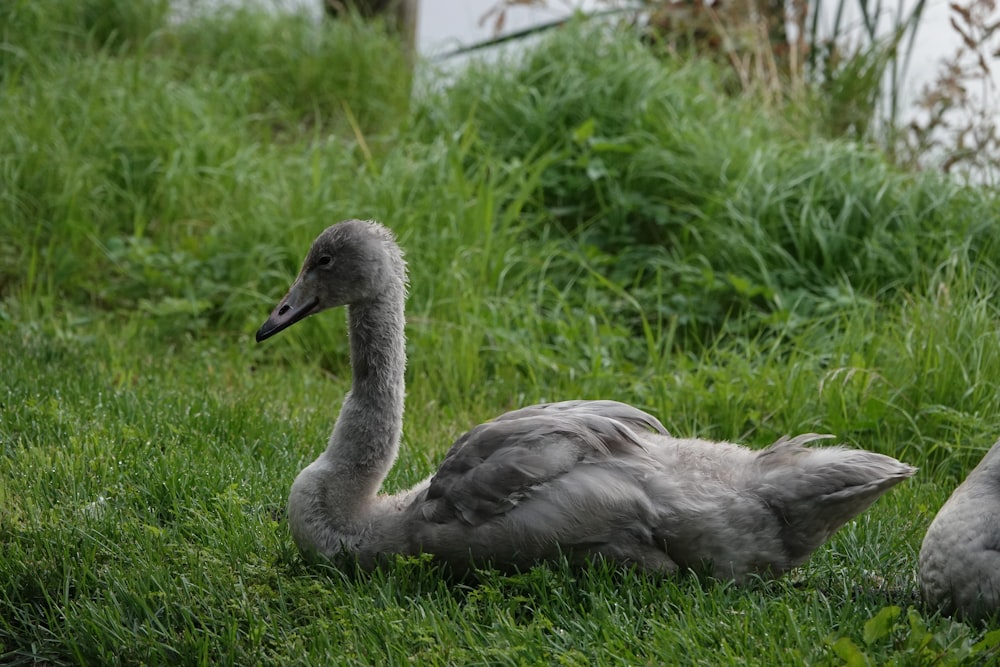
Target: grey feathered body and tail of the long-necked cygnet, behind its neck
529,488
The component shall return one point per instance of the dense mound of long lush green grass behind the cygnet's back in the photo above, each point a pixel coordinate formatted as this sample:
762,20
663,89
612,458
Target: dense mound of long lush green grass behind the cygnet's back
725,210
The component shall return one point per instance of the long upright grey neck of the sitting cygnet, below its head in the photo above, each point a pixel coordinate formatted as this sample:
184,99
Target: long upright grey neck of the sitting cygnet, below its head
365,439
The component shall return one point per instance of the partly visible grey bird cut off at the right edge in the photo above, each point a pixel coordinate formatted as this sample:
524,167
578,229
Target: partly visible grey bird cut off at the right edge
959,562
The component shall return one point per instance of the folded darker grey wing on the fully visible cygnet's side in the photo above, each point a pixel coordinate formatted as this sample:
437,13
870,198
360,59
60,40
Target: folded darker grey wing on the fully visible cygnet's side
494,466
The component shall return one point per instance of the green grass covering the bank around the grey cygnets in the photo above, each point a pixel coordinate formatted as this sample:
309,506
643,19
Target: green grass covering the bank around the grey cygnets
587,221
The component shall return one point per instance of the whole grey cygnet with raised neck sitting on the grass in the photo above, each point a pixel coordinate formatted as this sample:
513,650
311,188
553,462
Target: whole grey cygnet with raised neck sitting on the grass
577,480
